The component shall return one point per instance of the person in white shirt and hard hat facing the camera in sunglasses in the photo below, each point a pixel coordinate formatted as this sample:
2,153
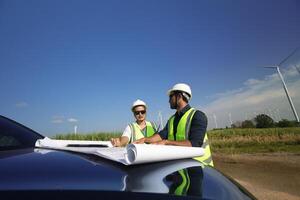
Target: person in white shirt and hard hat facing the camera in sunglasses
138,129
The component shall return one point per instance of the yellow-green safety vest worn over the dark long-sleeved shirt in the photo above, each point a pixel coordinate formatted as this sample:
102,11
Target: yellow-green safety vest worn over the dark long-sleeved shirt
183,129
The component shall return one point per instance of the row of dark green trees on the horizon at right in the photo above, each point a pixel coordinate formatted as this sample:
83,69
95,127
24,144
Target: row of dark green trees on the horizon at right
264,121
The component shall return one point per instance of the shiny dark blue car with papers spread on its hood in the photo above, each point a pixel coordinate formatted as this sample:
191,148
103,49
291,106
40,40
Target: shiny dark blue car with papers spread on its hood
27,172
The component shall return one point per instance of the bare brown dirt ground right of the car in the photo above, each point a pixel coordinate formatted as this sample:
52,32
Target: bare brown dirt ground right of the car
267,176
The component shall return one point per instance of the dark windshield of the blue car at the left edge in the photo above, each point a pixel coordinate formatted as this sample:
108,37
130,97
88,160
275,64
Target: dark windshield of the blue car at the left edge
15,136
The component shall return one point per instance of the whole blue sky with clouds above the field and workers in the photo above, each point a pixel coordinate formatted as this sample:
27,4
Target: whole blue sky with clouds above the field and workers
66,63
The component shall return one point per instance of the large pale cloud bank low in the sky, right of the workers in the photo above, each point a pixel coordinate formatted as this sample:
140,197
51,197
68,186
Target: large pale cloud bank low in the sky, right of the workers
257,96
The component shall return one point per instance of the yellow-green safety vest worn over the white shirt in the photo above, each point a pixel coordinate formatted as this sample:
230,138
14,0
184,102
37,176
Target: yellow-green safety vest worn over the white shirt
136,132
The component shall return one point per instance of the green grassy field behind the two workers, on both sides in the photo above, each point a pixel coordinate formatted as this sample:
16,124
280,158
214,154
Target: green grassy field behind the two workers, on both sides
232,141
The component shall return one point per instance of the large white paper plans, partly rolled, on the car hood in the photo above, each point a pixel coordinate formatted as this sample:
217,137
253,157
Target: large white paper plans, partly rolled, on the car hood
130,155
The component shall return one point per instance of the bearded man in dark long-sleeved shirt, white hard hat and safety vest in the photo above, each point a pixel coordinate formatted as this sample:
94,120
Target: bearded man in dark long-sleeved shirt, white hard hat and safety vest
187,127
